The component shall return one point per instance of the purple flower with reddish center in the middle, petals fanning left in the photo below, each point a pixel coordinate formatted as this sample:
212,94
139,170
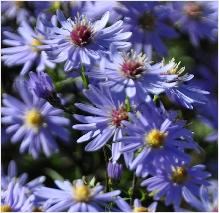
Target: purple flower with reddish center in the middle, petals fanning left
108,112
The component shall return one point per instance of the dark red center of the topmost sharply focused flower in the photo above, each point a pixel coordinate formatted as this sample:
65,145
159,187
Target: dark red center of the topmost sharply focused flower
81,35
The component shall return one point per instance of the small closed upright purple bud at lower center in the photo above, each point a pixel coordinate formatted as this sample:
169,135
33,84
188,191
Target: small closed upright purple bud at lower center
114,171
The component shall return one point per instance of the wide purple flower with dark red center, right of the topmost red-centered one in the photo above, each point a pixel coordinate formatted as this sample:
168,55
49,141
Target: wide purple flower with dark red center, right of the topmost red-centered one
134,74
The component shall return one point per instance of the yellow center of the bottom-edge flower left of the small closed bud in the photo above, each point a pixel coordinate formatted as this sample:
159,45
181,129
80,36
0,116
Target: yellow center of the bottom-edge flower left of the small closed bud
82,193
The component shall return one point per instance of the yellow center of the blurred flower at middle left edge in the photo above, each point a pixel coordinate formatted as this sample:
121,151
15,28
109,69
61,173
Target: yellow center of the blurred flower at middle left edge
34,118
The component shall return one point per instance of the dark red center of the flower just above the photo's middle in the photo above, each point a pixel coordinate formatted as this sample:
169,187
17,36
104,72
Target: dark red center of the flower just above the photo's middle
131,68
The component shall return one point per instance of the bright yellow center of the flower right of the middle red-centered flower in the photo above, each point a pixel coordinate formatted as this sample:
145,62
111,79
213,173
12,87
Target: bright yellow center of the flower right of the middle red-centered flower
155,138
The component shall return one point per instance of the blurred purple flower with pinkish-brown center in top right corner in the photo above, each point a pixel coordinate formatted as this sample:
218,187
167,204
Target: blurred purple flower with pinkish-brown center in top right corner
196,18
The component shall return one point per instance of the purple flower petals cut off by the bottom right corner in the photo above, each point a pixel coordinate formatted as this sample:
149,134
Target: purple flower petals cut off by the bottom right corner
208,201
